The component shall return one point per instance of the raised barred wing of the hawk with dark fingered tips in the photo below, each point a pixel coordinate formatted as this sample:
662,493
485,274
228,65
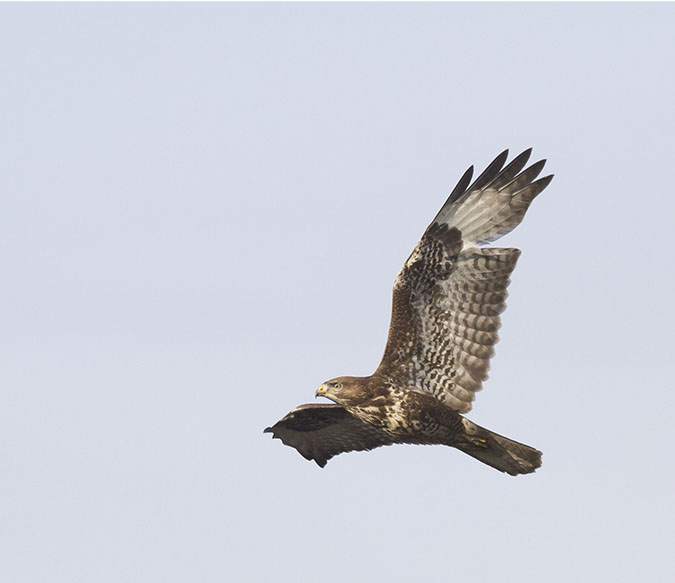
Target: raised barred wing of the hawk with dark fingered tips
449,294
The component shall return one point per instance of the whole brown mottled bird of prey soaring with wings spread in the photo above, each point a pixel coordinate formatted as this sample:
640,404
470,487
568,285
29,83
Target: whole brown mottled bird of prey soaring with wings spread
446,306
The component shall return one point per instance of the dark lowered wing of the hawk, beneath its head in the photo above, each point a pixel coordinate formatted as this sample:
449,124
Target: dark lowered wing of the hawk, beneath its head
322,431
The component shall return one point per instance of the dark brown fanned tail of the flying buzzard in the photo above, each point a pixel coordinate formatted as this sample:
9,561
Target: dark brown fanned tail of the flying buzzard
499,452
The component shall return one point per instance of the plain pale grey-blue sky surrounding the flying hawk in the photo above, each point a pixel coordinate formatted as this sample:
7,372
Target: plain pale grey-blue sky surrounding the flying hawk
203,209
